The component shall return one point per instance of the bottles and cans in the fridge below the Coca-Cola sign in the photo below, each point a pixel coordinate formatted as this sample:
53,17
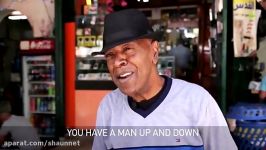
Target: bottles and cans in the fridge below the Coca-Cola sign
39,93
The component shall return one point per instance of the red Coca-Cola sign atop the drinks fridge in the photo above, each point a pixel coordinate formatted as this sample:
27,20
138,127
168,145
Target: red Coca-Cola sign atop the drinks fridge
47,44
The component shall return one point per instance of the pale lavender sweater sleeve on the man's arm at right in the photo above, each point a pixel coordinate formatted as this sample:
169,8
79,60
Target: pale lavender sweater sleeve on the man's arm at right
214,130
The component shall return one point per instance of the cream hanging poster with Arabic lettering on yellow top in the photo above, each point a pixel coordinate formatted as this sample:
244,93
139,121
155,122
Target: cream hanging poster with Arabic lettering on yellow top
245,20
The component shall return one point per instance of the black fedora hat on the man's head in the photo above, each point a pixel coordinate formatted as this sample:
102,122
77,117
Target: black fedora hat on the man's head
125,26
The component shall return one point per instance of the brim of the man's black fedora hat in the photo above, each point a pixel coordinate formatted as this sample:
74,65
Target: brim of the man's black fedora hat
154,35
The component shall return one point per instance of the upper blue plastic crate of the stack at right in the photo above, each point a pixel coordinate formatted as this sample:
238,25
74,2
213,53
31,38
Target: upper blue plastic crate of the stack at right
247,111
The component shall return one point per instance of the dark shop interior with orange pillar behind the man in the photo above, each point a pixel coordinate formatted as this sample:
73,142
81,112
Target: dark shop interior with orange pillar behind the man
62,86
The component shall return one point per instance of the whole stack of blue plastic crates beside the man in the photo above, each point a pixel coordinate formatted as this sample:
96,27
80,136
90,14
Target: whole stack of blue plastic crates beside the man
250,132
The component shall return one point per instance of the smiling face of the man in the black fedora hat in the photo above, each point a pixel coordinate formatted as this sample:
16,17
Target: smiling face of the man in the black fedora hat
132,65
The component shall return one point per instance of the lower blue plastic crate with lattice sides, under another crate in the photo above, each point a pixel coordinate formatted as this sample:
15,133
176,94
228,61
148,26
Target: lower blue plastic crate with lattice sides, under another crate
250,135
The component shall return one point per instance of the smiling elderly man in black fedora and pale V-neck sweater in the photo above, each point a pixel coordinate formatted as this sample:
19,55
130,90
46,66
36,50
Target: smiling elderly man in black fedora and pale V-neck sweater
147,101
